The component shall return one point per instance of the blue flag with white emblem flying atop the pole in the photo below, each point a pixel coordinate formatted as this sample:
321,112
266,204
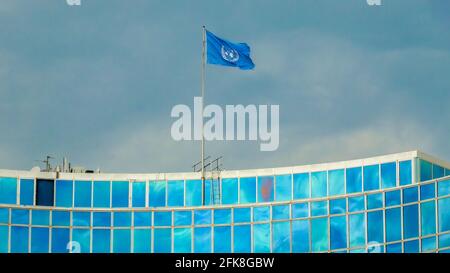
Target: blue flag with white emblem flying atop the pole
223,52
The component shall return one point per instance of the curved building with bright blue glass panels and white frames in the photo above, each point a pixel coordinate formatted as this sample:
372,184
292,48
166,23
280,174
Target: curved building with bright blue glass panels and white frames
392,203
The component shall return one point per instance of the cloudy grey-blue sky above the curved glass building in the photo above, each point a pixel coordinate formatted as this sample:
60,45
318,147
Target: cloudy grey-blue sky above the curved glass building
97,82
